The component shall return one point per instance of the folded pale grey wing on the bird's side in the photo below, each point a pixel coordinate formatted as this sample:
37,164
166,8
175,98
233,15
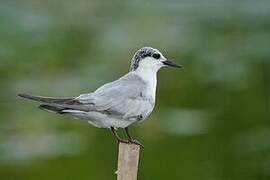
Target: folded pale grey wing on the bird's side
124,97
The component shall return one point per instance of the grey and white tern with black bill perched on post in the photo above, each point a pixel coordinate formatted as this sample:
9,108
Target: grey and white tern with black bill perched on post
119,103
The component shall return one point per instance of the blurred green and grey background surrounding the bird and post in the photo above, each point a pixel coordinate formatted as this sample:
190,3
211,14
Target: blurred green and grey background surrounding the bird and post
211,120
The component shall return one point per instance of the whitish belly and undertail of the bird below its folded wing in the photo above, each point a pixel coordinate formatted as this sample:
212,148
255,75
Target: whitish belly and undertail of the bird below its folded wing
101,120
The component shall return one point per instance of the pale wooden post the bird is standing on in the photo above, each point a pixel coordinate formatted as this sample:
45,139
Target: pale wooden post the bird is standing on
128,161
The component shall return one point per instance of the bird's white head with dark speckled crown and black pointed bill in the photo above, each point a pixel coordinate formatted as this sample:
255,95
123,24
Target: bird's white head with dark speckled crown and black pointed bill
150,58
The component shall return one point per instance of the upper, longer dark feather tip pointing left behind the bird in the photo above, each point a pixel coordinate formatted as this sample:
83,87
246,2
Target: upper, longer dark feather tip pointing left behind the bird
46,99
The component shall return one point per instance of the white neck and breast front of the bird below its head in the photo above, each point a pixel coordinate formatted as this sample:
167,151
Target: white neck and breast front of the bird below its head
149,75
